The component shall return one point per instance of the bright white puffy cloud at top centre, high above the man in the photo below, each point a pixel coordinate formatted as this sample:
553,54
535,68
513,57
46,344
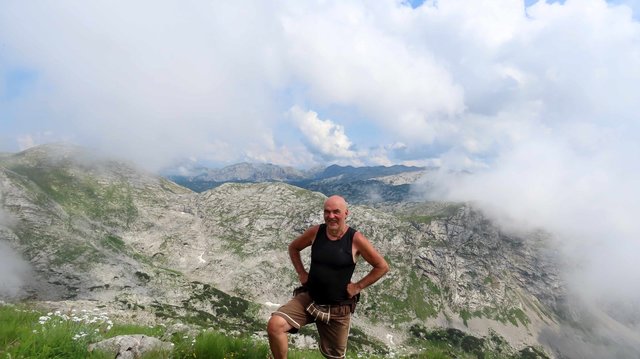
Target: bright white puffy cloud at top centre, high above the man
357,56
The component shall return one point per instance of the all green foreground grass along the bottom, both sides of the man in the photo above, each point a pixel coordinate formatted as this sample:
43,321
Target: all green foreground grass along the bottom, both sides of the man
31,333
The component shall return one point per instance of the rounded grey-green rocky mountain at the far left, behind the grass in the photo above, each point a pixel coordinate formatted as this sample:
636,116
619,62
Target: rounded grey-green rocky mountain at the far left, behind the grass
80,219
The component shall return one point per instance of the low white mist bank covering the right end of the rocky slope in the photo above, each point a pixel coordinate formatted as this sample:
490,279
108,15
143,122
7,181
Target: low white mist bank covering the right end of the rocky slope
580,185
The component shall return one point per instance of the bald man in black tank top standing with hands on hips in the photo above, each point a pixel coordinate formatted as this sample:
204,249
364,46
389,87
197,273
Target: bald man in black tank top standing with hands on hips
329,296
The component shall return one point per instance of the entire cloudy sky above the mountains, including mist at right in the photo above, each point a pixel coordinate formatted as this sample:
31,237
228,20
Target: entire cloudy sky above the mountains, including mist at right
538,100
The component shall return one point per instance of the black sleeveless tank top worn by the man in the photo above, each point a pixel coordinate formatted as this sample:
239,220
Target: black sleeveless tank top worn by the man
331,267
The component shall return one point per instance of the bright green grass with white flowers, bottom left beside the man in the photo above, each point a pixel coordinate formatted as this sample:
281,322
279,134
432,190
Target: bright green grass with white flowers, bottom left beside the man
31,333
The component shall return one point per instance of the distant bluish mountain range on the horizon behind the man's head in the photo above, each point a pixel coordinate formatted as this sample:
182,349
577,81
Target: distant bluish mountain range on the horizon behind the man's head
362,185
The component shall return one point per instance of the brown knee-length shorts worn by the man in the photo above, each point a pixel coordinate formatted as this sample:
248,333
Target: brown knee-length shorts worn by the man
333,322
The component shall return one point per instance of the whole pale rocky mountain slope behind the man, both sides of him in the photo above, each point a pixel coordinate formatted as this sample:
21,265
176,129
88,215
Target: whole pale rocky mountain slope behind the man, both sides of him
98,231
